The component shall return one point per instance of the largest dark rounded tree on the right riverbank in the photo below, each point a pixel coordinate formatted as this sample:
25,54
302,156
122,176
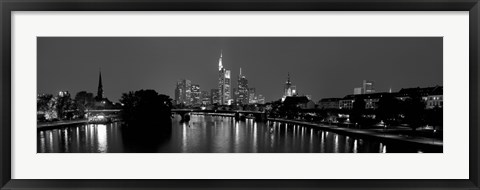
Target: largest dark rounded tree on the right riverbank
414,110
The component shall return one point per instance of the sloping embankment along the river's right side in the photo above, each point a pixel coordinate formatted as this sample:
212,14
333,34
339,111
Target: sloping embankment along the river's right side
362,133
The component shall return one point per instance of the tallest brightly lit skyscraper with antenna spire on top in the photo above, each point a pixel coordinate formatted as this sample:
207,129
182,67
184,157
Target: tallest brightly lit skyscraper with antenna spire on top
224,87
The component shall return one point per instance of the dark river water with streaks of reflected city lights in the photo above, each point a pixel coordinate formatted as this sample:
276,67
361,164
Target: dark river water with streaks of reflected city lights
208,134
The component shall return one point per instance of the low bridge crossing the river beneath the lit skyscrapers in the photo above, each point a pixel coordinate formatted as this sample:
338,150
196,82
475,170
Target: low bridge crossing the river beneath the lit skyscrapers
238,114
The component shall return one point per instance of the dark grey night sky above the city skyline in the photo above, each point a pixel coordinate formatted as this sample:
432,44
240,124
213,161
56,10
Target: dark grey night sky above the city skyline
322,67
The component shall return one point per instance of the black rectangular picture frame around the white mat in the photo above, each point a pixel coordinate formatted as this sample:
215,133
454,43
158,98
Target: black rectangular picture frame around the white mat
7,6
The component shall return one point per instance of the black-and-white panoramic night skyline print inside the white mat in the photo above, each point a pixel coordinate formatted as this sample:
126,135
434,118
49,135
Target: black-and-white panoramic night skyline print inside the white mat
239,95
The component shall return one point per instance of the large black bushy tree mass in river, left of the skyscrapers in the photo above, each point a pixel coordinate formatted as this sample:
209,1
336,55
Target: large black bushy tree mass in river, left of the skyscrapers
146,108
